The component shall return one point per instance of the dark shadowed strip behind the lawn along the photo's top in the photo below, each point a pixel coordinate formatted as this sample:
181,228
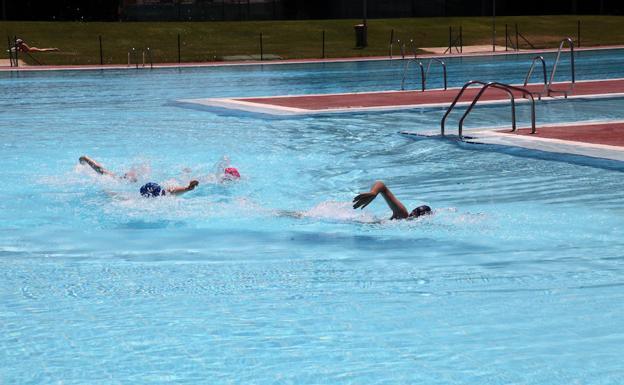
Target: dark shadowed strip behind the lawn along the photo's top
206,10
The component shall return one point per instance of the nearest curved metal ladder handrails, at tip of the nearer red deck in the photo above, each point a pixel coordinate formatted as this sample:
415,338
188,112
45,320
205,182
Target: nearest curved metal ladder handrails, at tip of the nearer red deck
484,86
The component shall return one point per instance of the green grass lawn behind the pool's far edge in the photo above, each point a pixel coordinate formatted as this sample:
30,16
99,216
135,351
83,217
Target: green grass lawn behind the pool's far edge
210,41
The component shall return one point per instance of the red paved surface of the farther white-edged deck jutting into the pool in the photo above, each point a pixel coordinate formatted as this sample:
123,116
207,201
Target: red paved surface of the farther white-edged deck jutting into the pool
406,98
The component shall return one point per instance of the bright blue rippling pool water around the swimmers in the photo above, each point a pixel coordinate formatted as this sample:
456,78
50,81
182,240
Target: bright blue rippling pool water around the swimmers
517,278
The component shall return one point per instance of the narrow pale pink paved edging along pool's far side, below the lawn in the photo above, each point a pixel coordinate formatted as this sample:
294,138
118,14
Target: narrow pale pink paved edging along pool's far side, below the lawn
286,61
